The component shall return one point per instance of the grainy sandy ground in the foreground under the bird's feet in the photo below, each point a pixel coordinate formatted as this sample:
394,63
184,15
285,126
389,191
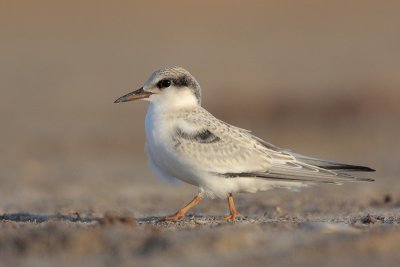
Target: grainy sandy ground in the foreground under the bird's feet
341,234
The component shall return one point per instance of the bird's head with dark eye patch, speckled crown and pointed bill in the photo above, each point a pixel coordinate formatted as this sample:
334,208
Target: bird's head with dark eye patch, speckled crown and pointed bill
170,85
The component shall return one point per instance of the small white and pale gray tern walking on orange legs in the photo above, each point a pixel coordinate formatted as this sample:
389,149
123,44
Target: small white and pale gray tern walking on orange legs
186,142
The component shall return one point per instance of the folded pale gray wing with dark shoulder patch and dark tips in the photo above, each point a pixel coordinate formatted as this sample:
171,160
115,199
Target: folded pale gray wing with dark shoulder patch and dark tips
232,152
